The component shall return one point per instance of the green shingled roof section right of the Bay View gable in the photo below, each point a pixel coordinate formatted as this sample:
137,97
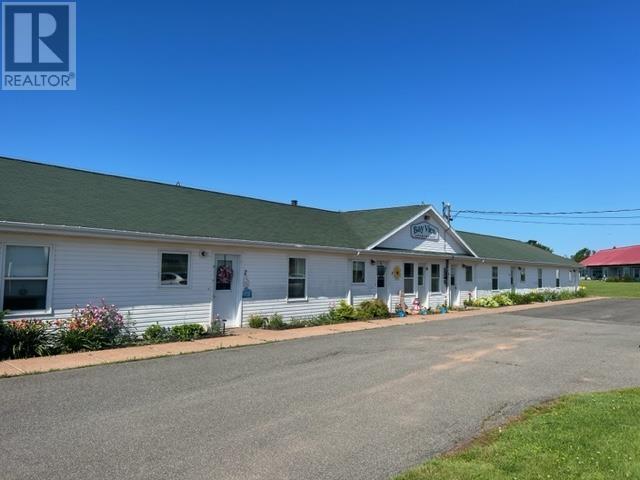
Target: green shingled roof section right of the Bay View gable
487,246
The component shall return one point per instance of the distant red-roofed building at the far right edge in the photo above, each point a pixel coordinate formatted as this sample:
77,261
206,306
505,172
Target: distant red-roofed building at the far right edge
617,262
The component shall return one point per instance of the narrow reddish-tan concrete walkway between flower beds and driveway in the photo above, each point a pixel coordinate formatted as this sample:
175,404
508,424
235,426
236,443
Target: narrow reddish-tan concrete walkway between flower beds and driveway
238,337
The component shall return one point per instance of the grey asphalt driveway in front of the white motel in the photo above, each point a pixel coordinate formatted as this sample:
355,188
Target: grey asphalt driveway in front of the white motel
361,405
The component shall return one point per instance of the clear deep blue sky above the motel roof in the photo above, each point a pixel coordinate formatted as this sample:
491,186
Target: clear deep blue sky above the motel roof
492,105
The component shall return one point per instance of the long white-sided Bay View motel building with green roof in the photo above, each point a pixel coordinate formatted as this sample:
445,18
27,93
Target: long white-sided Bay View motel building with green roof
172,254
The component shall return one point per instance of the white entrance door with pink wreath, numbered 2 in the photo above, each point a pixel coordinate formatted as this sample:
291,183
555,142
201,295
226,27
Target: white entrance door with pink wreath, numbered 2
226,291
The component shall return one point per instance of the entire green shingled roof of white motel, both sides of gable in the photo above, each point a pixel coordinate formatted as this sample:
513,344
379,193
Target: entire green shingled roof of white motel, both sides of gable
50,195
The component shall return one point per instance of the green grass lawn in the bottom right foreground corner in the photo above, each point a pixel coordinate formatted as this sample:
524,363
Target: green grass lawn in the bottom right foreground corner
587,437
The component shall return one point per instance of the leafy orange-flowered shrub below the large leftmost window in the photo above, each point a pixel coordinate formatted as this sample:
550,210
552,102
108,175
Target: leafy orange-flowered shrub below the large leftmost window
28,338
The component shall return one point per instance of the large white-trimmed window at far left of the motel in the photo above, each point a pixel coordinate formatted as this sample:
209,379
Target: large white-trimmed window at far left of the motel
26,278
